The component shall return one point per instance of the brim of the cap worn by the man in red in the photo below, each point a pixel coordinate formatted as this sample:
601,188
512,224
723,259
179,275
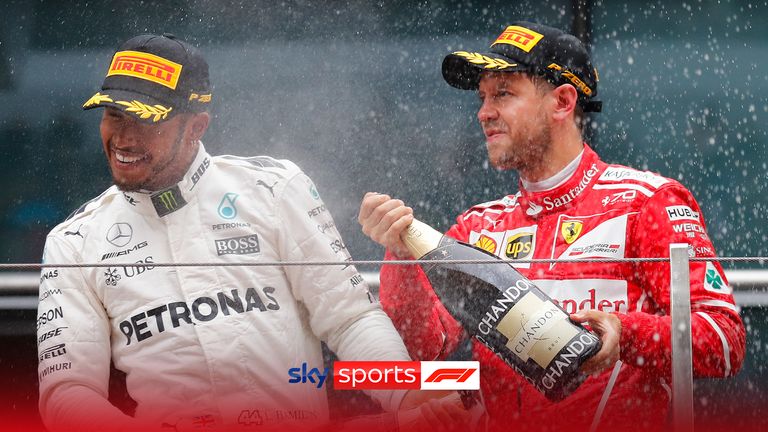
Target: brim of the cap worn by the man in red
462,69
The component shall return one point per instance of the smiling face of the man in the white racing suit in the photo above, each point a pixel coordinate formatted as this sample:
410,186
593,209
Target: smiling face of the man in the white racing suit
148,156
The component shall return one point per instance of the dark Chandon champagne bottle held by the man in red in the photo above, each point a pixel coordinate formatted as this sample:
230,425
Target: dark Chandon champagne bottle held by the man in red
506,312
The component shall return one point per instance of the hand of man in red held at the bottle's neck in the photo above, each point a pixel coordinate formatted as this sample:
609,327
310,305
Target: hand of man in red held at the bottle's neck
383,219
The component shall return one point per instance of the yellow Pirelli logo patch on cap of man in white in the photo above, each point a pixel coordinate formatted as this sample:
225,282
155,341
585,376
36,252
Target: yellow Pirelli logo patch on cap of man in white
146,66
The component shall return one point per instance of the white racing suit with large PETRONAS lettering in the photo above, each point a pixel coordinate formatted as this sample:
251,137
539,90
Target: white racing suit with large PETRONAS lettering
203,345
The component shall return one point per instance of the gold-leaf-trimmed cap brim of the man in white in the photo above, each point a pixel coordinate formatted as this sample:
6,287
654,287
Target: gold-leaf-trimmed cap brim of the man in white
144,108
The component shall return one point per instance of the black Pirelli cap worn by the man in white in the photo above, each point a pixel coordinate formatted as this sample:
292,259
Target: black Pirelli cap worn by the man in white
154,77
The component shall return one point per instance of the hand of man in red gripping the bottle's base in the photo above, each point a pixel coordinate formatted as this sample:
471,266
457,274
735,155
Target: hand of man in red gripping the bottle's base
608,328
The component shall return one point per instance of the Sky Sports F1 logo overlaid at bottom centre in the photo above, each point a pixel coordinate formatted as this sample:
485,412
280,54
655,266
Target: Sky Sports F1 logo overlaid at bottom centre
392,375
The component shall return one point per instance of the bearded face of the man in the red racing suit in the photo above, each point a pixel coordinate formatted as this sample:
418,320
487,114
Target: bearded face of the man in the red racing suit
513,114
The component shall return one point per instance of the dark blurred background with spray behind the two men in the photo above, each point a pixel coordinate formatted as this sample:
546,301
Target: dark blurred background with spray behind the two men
352,92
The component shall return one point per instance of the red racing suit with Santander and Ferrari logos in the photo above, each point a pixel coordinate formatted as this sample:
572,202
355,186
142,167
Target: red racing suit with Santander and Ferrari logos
601,211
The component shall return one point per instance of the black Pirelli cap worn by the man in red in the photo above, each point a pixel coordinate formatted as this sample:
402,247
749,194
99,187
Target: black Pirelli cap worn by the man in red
532,48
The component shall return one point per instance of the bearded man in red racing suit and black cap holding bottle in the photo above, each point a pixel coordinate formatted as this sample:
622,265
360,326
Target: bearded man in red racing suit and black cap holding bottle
571,206
